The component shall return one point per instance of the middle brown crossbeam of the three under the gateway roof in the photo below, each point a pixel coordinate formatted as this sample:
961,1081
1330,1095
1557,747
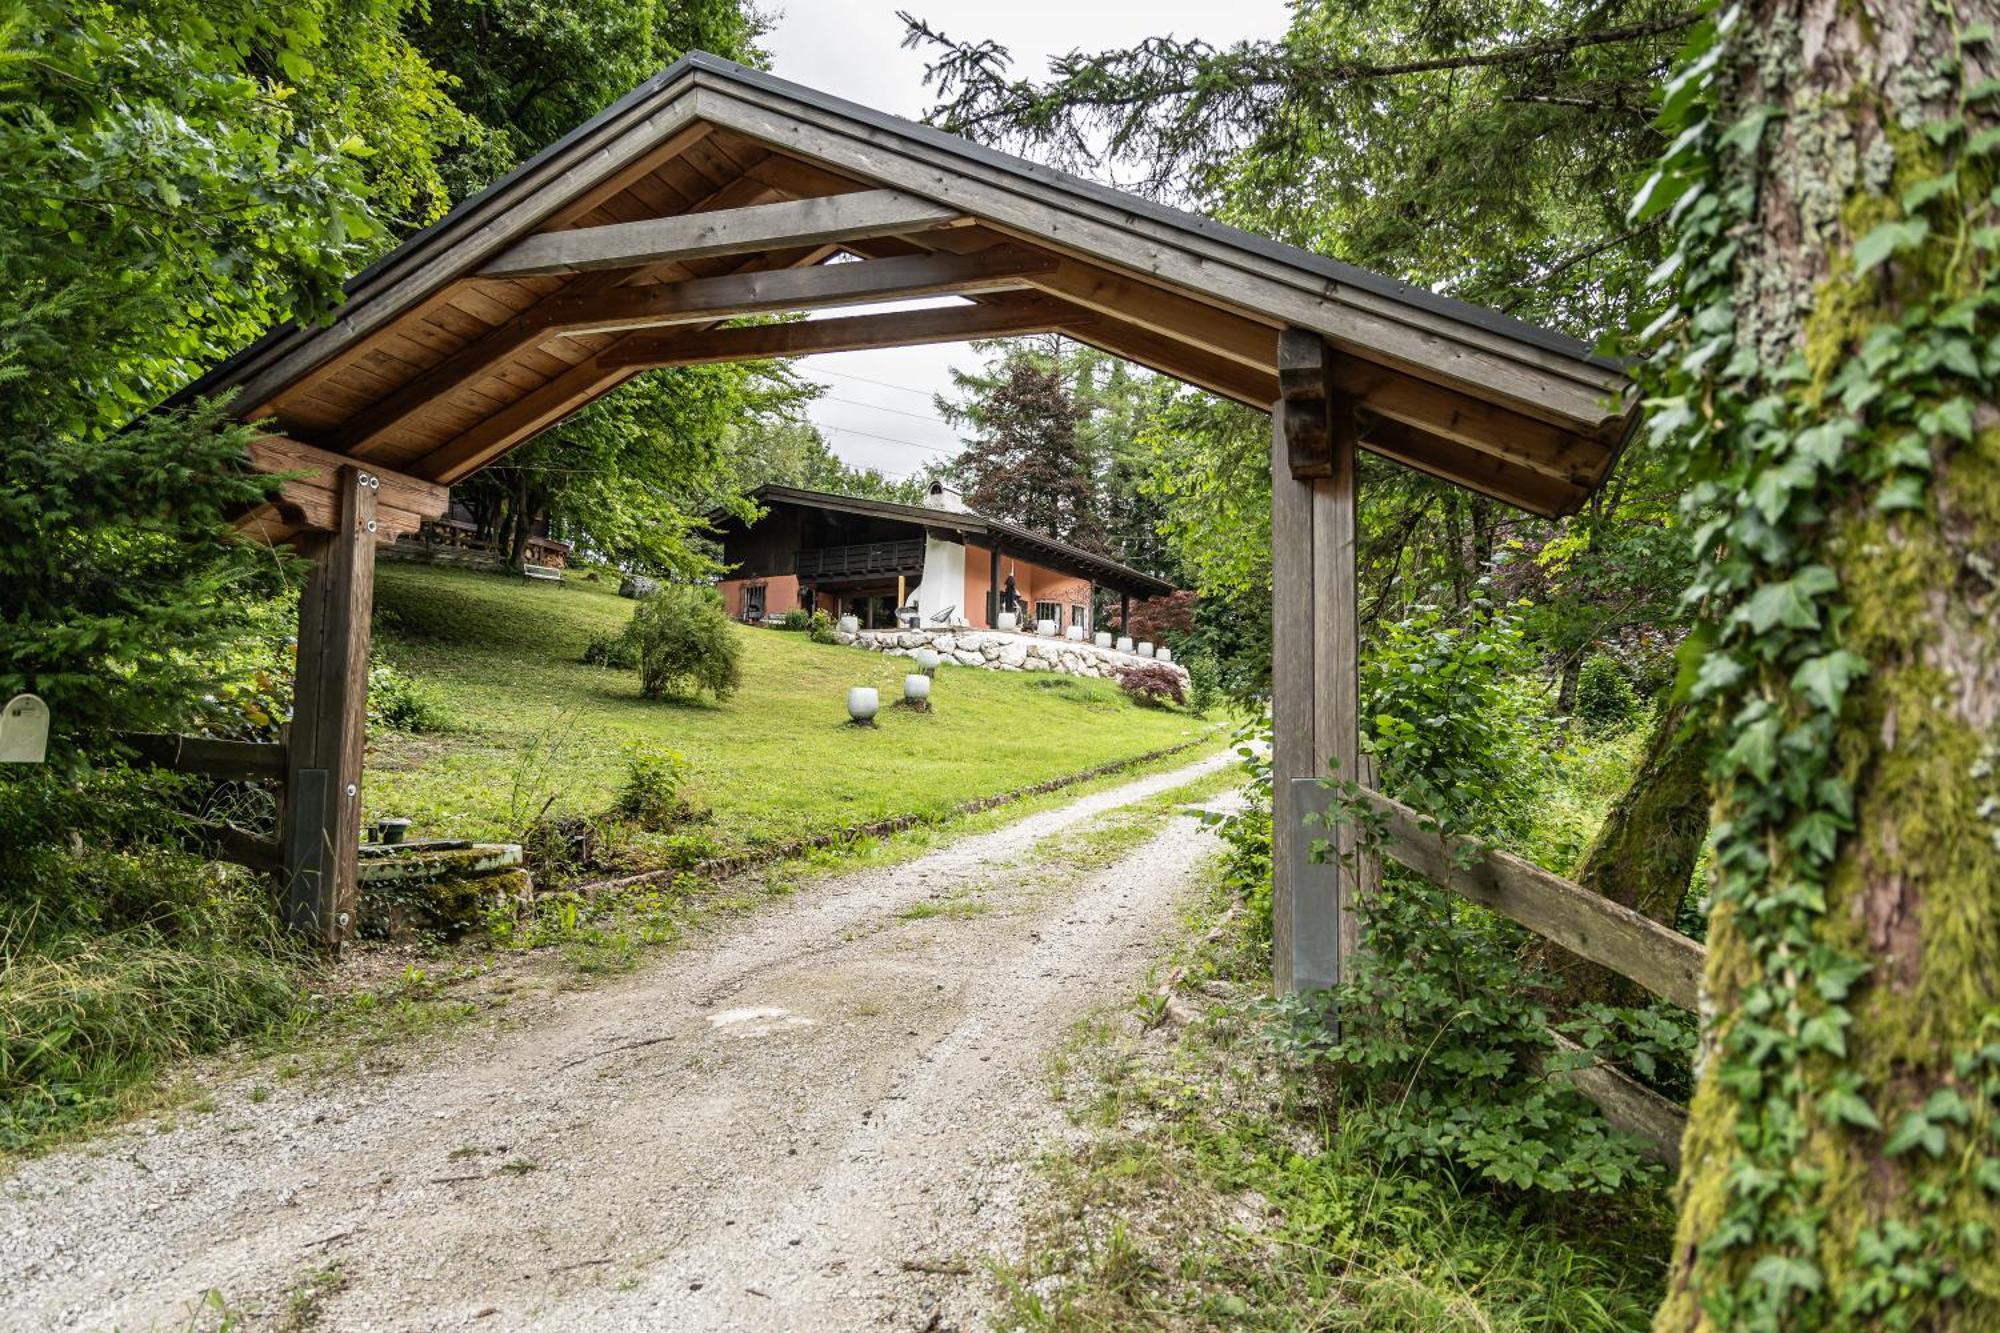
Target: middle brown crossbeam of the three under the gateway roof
767,291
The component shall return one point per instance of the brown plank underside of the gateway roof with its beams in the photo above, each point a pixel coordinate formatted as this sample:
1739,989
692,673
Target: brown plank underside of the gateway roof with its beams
687,253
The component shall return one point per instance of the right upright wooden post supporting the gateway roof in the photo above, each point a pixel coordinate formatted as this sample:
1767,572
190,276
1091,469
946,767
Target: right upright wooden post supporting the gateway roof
1315,659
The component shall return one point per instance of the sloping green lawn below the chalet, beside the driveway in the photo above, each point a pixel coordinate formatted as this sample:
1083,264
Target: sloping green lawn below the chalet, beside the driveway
537,728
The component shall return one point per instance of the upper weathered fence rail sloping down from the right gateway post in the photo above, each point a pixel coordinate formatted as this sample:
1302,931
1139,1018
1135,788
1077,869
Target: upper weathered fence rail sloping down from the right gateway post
1587,924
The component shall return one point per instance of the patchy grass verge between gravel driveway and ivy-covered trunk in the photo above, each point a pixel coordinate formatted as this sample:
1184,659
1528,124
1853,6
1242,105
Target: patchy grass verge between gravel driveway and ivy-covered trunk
1213,1188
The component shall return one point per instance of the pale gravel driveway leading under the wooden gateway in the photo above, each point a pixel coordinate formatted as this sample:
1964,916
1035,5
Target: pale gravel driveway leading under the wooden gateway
819,1118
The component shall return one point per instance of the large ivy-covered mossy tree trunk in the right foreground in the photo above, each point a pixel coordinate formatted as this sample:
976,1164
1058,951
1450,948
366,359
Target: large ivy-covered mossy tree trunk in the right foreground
1831,373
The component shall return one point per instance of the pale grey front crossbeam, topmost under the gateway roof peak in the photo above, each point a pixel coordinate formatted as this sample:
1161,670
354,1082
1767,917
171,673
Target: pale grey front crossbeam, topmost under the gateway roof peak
723,231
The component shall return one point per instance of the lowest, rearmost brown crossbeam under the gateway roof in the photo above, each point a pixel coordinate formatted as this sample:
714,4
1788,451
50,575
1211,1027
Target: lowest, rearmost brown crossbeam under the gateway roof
839,335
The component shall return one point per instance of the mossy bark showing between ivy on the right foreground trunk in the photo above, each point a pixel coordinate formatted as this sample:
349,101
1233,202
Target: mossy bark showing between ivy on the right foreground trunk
1915,884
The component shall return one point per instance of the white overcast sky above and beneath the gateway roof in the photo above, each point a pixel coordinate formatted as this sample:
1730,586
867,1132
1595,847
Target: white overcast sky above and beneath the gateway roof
879,405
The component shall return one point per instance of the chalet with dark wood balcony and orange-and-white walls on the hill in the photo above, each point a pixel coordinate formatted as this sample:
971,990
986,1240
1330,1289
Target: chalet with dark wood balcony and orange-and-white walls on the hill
935,565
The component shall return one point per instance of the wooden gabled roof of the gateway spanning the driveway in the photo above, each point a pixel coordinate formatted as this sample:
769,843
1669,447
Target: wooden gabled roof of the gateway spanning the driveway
715,193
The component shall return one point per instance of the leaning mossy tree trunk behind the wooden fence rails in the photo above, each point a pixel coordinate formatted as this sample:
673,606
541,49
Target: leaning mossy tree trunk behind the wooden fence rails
1645,854
